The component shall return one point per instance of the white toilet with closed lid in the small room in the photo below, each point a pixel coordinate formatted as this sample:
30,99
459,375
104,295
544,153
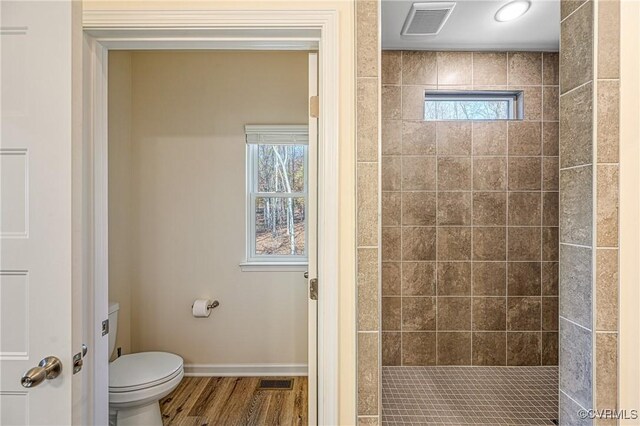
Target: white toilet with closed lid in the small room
138,381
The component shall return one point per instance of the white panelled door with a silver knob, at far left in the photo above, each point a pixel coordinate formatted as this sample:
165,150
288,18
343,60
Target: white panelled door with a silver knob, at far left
35,209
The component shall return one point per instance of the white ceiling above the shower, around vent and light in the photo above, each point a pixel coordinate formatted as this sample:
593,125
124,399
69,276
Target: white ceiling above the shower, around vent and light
472,26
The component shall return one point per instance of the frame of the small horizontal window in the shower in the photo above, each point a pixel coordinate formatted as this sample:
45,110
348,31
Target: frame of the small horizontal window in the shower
515,98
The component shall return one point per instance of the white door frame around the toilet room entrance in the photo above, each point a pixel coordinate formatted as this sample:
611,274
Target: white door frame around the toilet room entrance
207,30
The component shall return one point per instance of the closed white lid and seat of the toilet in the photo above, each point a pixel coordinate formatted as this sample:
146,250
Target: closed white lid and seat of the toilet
143,369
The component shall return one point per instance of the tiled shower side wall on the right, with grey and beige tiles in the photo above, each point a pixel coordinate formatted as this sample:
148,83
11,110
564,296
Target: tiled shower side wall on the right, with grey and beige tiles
589,166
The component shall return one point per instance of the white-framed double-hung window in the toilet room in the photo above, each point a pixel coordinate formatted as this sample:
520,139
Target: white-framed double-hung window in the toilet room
277,194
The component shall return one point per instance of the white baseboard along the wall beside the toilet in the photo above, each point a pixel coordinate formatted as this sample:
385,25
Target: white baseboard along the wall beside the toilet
244,370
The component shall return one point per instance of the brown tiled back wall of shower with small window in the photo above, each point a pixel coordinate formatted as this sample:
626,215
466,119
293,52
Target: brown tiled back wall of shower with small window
469,214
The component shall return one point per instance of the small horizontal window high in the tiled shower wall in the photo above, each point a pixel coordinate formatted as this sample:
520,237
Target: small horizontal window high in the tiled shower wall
473,105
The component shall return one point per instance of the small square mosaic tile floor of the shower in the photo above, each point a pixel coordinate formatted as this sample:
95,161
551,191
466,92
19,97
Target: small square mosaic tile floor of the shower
469,395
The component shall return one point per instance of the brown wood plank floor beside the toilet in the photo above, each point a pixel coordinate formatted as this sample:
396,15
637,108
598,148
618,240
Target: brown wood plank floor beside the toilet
234,401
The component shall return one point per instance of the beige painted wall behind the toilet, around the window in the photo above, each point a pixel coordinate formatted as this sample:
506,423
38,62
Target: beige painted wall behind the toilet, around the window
178,200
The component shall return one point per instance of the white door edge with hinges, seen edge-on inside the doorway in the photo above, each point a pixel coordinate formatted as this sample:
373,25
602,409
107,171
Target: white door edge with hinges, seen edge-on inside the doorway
312,223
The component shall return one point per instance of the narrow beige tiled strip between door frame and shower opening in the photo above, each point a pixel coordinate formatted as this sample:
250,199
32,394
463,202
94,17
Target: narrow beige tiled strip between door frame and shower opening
368,209
